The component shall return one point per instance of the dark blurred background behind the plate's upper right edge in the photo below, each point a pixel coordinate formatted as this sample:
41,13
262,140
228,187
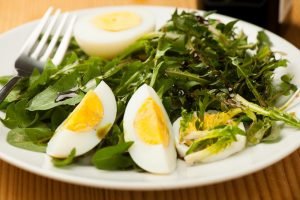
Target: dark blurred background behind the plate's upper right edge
279,16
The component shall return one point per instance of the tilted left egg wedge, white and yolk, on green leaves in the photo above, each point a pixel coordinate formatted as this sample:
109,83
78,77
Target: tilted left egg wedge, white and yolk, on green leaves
89,122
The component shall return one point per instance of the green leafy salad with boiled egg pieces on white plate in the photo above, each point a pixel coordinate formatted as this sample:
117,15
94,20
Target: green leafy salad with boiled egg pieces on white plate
195,89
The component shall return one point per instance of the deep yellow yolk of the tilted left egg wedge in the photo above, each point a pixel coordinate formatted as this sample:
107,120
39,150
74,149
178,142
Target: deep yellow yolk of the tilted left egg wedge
86,115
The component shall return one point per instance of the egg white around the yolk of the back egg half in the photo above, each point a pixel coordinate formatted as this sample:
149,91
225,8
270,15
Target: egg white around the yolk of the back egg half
98,42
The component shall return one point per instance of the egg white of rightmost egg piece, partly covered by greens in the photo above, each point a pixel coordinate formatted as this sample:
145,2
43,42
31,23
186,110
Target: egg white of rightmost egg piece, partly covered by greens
205,155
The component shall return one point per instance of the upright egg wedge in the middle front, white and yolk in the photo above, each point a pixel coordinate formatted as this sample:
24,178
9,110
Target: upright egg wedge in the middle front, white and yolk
147,124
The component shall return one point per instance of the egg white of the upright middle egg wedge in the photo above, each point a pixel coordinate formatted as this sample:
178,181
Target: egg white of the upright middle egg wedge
152,158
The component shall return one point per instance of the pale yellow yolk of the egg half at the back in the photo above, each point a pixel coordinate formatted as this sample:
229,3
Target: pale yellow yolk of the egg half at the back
117,21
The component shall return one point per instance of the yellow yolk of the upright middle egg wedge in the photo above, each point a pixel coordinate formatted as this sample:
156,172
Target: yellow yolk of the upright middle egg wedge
150,124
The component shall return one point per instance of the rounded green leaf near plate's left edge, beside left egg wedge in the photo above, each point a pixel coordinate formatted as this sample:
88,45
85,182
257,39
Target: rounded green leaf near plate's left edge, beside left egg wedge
33,139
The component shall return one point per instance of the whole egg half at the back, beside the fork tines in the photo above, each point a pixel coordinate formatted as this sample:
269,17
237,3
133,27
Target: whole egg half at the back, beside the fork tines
108,32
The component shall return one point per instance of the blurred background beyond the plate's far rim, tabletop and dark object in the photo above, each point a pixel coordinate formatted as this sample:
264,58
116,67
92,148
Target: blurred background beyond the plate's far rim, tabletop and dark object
279,16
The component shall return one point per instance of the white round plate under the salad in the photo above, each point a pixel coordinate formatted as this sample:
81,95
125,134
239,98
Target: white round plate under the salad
247,161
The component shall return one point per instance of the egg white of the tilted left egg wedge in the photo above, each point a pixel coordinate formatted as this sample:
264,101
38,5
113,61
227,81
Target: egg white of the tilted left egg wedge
64,140
